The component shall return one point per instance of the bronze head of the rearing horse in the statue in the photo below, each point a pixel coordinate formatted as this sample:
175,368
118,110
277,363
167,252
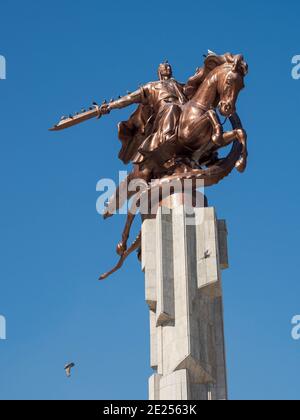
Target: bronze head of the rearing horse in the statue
230,83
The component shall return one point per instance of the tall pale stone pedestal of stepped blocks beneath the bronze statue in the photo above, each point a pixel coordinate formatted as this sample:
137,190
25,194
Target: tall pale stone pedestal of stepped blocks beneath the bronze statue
182,257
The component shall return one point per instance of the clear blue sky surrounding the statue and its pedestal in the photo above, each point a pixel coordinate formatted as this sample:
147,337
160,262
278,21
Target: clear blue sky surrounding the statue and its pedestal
63,54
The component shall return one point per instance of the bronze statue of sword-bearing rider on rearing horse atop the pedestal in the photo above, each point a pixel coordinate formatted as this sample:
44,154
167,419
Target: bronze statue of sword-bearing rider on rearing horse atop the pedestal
176,133
